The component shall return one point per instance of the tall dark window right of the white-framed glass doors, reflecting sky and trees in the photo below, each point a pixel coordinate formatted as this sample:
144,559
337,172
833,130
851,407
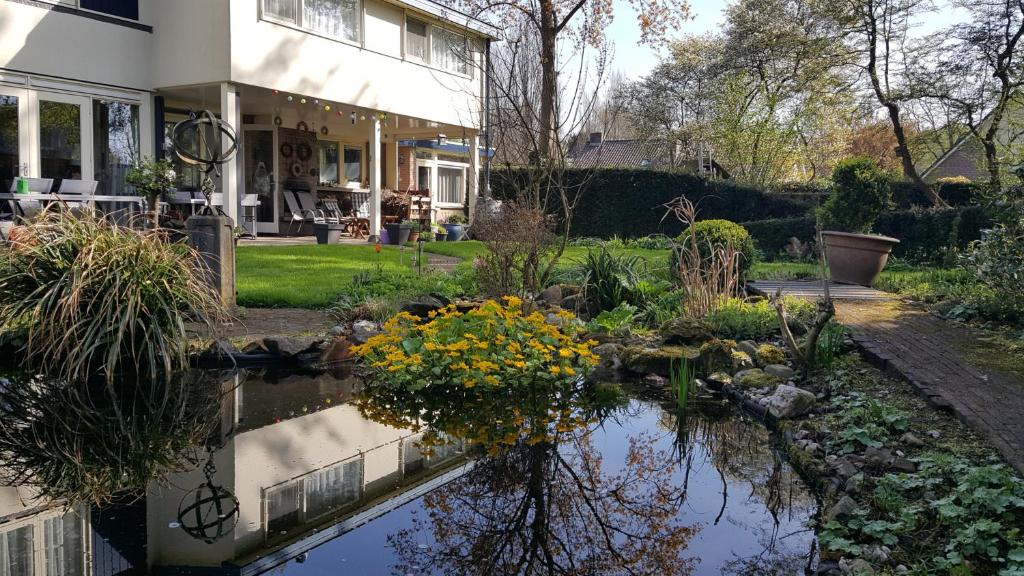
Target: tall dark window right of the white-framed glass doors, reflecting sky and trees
116,145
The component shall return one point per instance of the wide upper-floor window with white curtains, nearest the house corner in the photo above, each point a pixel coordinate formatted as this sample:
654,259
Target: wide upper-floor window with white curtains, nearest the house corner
336,19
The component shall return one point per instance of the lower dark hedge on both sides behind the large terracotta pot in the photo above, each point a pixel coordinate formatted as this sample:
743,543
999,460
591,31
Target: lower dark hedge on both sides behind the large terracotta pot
930,236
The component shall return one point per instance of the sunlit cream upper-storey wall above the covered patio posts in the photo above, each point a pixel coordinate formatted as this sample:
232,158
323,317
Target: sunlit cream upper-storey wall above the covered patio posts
282,58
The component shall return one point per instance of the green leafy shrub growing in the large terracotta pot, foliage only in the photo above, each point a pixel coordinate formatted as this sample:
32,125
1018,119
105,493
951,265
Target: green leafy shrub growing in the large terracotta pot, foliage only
862,193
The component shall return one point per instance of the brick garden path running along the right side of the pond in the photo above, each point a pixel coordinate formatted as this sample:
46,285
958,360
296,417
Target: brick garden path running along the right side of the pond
927,351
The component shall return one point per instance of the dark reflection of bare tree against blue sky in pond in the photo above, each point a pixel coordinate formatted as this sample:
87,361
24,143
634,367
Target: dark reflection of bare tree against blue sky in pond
550,509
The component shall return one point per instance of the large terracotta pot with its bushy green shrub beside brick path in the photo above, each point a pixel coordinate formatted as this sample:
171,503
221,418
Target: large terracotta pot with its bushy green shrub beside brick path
862,192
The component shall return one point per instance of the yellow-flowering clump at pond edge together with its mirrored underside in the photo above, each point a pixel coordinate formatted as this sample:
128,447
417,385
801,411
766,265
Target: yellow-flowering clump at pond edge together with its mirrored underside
492,376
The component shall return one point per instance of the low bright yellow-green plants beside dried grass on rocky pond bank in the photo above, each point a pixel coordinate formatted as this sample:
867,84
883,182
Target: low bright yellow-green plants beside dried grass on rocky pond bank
741,320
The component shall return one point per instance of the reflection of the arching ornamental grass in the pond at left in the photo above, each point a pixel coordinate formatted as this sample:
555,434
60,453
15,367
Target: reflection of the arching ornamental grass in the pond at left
98,442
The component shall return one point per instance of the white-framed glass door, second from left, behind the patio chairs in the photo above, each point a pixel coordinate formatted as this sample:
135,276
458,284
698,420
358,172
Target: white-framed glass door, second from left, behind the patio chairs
64,133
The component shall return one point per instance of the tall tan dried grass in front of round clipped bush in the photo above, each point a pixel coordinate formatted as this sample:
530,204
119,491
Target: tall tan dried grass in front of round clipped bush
707,281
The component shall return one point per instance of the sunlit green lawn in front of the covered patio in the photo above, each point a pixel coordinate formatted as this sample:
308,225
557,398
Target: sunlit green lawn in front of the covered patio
309,276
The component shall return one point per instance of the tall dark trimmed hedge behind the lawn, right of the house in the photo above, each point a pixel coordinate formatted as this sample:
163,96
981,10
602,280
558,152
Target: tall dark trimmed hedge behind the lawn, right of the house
630,202
